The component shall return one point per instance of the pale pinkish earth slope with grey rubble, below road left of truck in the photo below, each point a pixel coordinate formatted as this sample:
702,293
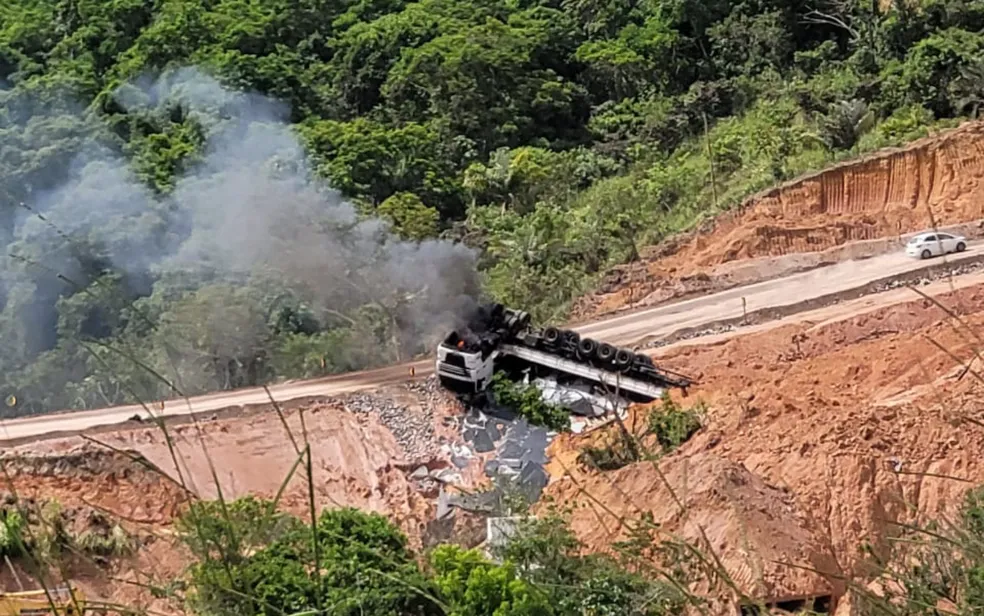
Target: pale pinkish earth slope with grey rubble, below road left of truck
364,446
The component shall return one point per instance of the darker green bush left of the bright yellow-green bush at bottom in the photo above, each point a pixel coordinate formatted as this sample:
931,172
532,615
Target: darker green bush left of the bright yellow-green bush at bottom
353,563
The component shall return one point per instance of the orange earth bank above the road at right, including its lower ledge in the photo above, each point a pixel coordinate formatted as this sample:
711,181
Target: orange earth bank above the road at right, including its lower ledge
853,210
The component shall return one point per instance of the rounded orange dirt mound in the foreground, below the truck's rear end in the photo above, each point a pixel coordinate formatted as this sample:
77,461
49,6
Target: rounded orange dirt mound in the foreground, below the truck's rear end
764,542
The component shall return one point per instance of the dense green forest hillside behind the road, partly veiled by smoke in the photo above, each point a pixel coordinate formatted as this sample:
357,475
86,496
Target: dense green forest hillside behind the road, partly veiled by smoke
200,194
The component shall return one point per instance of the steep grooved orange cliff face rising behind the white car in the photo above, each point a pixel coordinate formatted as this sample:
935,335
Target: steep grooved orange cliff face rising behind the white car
936,181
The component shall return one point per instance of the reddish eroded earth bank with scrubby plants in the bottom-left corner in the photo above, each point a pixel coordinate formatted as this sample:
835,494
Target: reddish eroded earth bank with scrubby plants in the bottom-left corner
112,511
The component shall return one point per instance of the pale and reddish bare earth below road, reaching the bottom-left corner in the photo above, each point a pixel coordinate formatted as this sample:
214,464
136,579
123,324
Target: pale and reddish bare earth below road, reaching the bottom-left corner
357,462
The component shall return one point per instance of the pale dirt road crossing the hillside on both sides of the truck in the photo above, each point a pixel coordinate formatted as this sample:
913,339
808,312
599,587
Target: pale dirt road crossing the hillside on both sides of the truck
622,330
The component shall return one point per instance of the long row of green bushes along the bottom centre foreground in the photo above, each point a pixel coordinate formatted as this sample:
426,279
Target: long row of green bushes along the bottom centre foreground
366,567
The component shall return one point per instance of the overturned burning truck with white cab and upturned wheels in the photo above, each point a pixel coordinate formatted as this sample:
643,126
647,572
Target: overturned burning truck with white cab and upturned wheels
499,338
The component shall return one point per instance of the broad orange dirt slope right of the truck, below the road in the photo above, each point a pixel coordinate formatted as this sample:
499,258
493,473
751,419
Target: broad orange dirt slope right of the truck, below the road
863,418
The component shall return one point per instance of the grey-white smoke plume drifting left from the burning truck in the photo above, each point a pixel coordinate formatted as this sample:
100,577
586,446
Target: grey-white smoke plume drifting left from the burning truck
249,208
